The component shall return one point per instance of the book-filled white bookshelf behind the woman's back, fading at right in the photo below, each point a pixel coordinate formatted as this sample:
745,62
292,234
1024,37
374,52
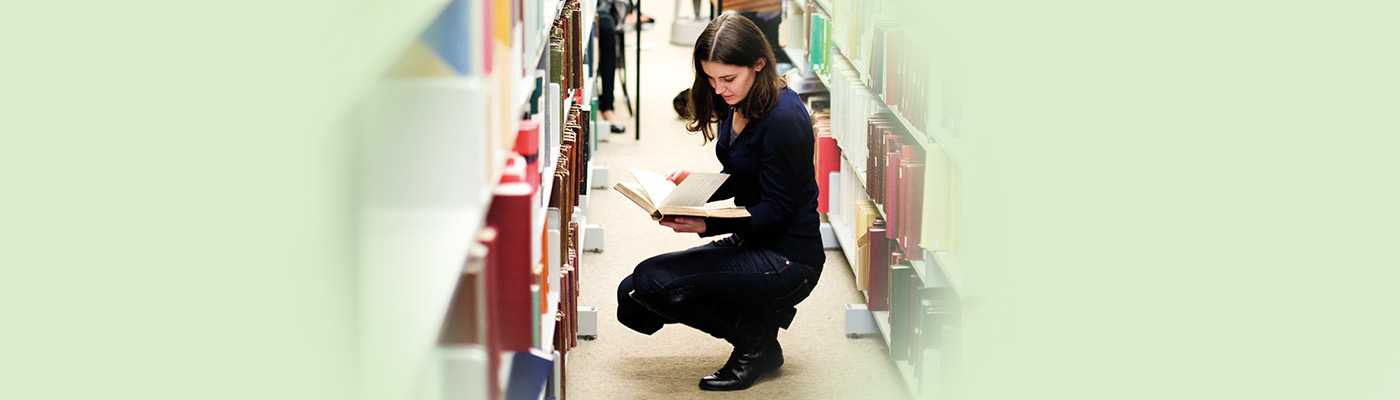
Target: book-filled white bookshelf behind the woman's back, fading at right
881,90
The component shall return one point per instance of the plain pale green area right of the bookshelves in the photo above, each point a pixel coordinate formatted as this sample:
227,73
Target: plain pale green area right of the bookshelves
1178,201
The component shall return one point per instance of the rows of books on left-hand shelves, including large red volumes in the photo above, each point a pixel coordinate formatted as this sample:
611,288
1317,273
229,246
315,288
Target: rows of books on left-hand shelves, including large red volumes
505,297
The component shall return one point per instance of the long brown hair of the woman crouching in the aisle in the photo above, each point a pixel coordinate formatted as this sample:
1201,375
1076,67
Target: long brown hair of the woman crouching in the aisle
733,40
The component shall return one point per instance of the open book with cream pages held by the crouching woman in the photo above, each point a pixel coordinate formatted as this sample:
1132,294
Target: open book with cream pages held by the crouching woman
664,199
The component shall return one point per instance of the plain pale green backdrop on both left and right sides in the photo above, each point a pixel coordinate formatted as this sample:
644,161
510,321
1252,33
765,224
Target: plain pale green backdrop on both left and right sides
1179,201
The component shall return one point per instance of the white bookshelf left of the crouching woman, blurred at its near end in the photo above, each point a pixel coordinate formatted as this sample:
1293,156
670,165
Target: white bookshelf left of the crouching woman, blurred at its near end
436,134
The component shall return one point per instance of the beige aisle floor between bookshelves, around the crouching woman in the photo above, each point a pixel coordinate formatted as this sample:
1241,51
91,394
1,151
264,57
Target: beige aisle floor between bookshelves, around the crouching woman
622,364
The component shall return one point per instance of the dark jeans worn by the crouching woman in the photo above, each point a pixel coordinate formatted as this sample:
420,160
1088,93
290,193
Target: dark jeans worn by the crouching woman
723,289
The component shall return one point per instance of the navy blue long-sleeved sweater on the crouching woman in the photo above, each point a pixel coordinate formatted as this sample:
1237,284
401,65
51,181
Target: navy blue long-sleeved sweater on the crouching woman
772,176
